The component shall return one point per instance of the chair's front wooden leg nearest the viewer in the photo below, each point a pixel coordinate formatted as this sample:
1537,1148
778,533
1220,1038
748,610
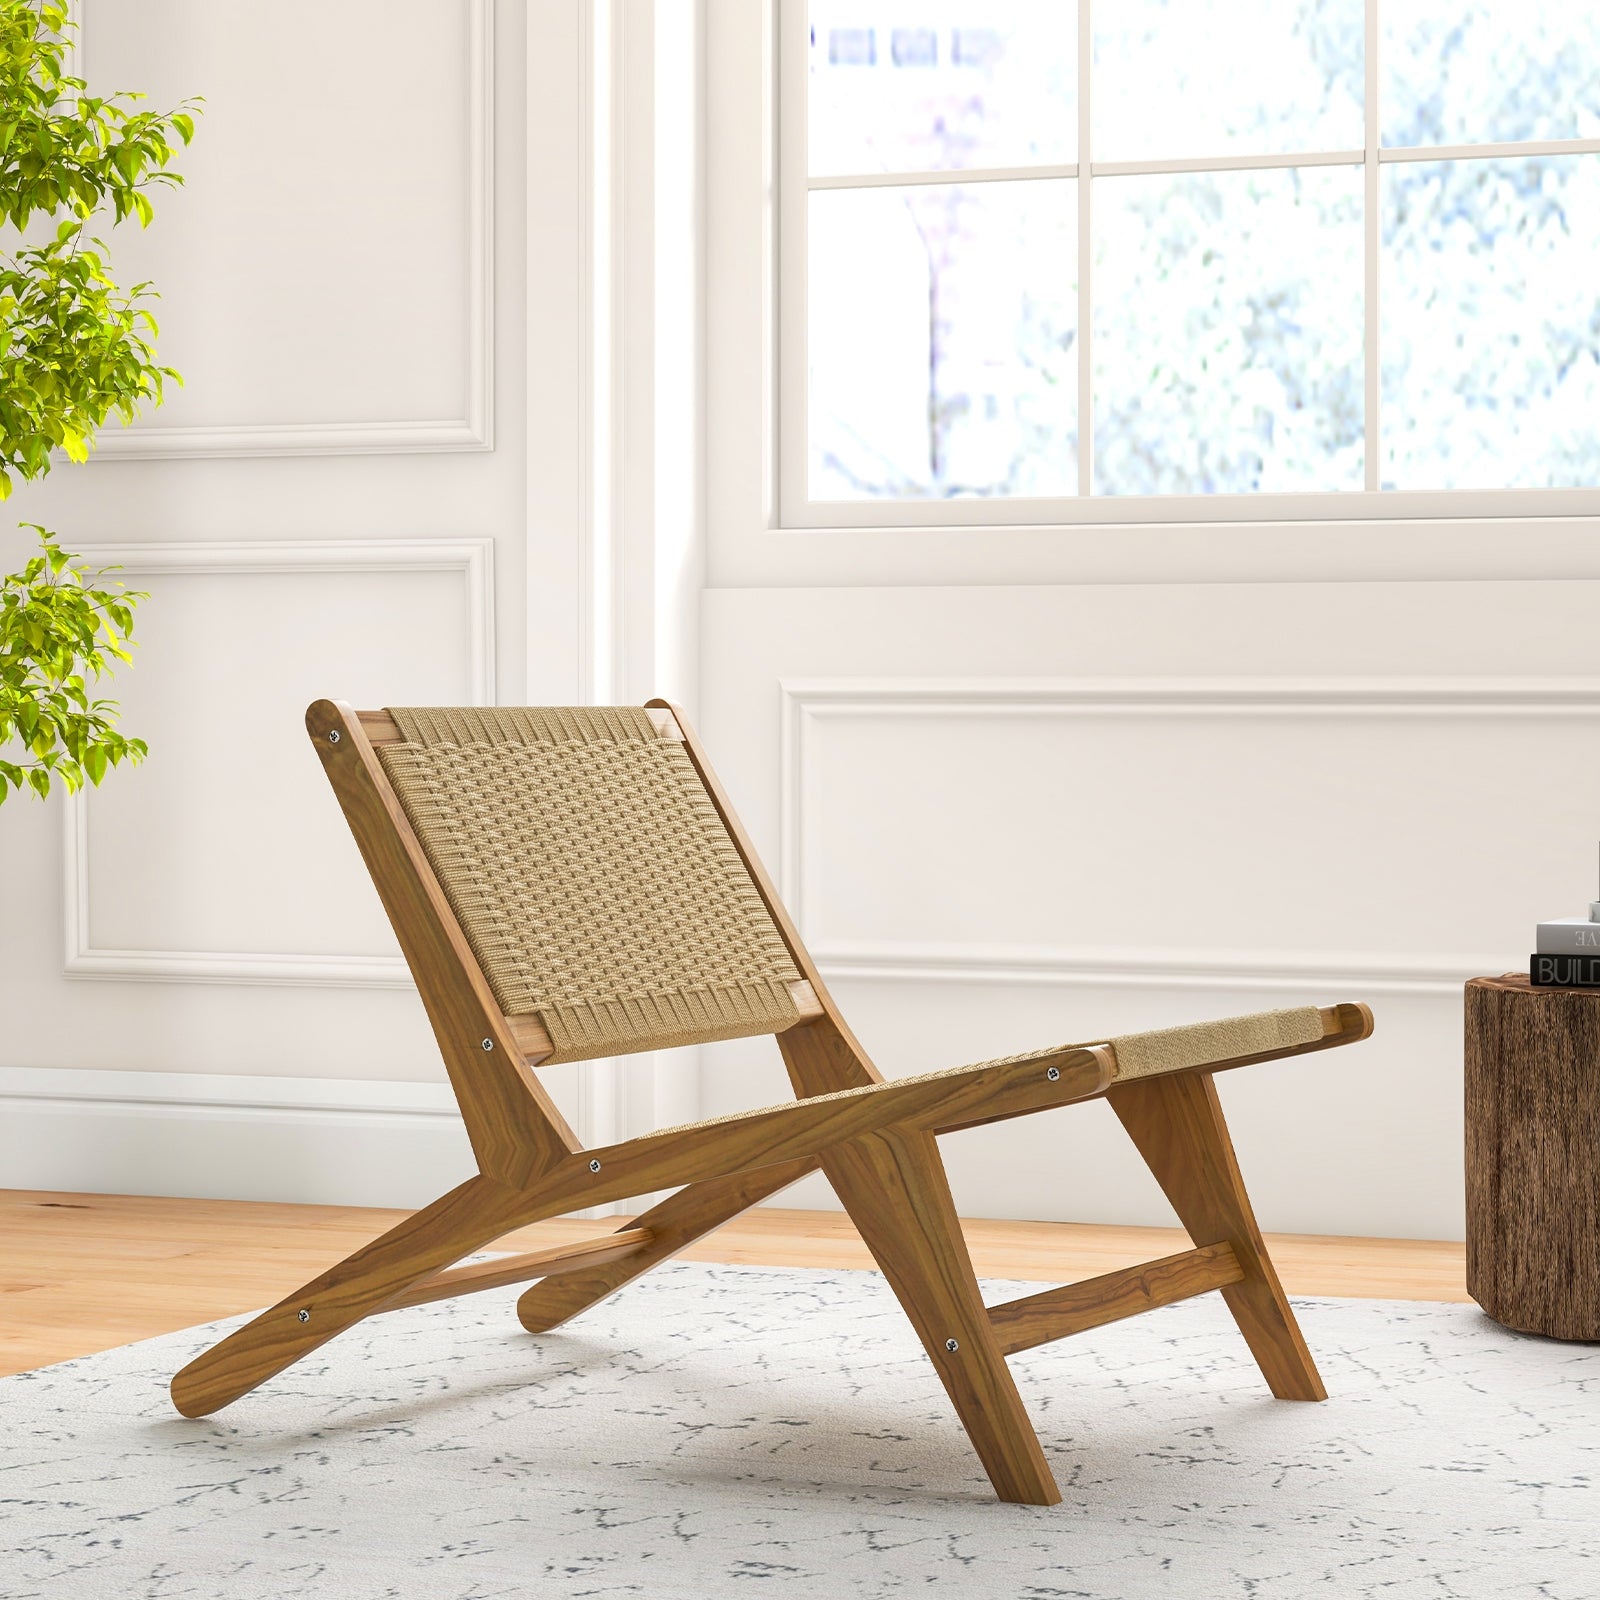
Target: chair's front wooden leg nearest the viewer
895,1190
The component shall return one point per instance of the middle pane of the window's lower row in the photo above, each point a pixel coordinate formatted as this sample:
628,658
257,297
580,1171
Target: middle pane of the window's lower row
1228,332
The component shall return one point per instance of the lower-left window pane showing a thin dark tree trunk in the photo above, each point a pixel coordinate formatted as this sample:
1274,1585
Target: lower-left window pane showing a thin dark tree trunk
943,330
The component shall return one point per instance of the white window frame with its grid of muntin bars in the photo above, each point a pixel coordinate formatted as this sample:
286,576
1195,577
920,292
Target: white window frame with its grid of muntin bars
791,447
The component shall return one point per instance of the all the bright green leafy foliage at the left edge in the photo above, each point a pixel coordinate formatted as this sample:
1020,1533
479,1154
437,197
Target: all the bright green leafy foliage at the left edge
74,350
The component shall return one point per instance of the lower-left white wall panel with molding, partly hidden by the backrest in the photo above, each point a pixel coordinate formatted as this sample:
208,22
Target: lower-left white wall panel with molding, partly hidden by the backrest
225,857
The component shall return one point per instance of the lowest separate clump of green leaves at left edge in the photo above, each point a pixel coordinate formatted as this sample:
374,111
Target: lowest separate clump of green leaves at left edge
58,634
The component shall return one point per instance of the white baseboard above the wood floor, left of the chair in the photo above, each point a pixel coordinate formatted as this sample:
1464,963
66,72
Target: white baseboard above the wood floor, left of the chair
230,1138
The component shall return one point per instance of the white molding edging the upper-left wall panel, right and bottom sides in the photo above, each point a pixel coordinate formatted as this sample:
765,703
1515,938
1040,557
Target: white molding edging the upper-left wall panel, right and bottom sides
474,431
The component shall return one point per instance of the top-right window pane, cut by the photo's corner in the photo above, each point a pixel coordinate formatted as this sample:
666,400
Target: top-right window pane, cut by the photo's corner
1486,71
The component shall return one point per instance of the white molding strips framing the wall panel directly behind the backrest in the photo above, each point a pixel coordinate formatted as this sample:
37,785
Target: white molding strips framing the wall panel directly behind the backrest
473,559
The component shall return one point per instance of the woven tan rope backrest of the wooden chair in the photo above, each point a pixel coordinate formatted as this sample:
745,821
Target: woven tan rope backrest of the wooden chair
591,876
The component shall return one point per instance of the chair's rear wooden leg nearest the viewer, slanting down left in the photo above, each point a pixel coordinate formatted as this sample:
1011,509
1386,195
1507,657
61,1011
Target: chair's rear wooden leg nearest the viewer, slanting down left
470,1217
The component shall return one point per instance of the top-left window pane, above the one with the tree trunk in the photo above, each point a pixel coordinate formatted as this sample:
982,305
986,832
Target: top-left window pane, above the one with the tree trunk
942,84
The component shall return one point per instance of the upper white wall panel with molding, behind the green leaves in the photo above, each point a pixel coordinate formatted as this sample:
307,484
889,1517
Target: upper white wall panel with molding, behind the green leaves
327,273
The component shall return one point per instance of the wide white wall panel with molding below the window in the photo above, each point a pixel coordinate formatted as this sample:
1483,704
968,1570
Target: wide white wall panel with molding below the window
1199,834
